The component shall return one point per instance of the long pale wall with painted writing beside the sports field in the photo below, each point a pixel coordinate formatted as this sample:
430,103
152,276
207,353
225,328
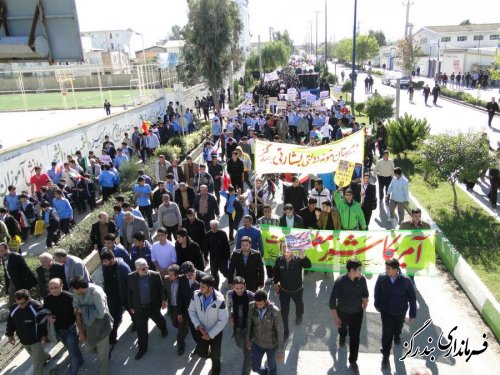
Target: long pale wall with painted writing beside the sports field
18,163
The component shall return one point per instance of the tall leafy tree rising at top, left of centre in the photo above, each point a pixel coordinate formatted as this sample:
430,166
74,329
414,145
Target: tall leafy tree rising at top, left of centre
211,36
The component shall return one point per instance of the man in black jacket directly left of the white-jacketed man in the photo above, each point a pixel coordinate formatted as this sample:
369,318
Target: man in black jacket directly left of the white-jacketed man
189,281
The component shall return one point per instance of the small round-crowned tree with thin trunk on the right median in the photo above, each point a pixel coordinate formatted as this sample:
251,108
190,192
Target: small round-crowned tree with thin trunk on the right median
455,157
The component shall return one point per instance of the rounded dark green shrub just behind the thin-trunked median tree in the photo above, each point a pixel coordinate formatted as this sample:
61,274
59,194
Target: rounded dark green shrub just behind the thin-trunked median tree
406,133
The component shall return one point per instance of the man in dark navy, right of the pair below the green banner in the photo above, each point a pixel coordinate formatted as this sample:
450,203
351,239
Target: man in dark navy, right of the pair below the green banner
393,293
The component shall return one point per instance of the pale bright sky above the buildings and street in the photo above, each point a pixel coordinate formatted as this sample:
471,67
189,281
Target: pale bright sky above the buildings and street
154,18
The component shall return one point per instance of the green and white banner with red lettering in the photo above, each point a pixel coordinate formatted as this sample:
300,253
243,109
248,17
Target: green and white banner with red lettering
329,250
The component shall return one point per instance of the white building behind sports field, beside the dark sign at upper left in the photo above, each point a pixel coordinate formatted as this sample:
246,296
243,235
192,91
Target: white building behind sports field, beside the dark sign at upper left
108,40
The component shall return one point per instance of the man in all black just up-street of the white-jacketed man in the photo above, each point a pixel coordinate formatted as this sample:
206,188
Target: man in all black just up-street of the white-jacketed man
217,245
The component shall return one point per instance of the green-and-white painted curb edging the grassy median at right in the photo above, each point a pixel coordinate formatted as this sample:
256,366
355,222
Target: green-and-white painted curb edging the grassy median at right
479,295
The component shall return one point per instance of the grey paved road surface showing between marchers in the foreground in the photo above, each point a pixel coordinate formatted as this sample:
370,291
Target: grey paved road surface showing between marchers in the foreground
313,346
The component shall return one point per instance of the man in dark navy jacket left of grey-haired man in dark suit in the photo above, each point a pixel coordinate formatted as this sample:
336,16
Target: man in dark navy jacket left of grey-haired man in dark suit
115,273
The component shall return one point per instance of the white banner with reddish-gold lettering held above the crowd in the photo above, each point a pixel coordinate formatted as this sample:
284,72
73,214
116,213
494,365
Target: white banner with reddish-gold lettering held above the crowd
273,157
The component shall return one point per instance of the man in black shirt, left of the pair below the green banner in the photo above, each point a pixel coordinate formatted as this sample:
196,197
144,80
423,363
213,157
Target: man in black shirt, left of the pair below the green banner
348,300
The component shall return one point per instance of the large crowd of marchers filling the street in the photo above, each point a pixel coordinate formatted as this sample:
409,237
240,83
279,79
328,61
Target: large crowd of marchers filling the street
164,248
